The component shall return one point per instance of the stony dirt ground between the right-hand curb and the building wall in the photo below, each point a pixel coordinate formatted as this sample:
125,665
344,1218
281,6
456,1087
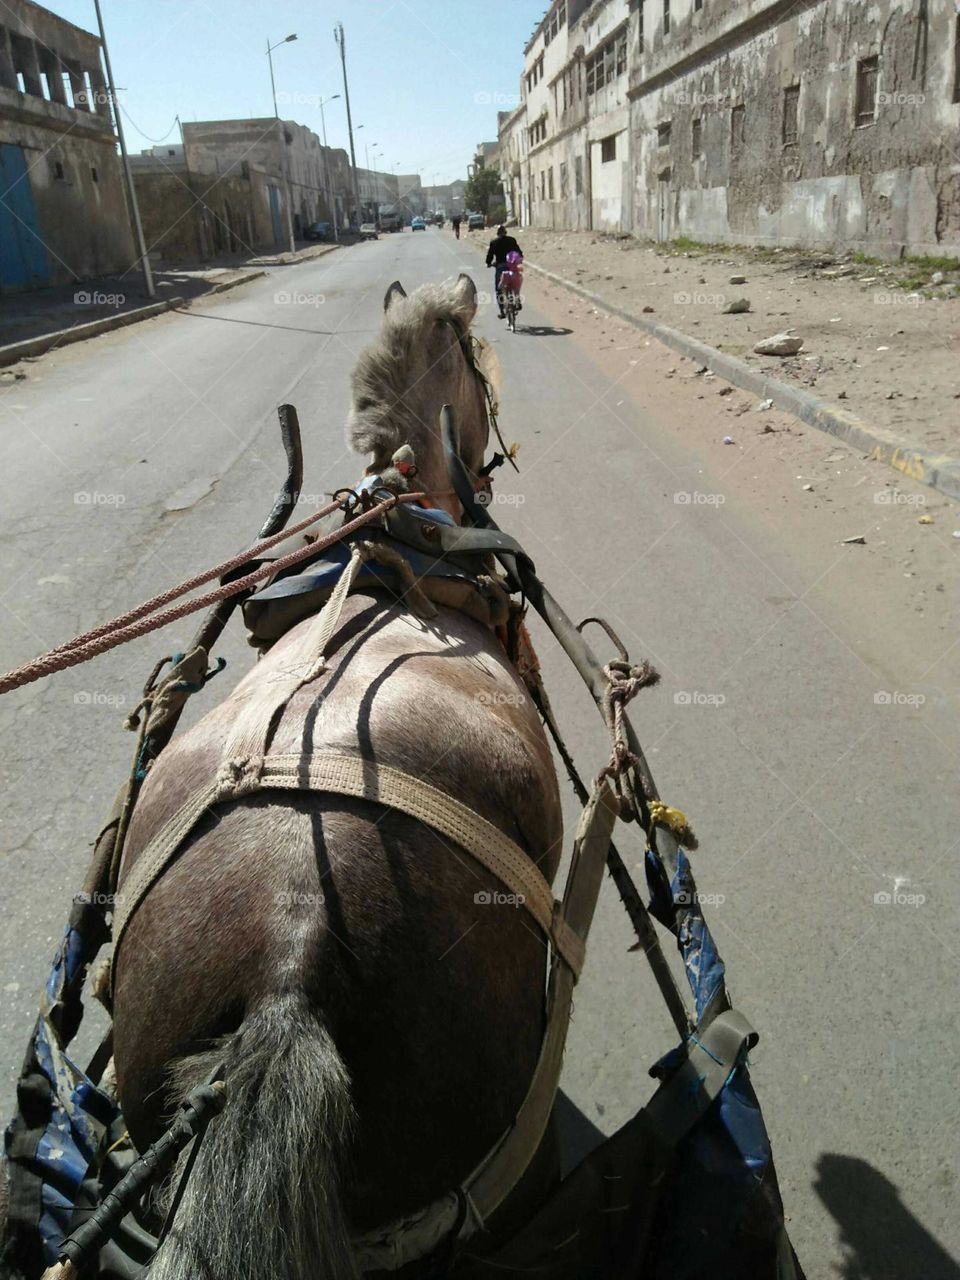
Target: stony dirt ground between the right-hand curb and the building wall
883,339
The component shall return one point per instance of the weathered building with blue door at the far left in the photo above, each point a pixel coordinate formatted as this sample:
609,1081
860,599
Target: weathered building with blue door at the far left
63,208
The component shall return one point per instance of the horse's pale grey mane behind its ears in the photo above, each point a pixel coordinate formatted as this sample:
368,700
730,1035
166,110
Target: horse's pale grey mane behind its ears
390,380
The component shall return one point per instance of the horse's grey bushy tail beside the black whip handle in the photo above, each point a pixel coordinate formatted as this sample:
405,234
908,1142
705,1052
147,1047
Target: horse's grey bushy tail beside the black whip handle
263,1199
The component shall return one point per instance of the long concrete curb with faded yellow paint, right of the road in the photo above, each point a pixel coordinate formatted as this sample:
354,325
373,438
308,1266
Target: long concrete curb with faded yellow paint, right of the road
938,470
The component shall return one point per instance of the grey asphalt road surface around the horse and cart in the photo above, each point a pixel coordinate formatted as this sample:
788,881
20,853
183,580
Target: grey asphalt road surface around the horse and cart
789,724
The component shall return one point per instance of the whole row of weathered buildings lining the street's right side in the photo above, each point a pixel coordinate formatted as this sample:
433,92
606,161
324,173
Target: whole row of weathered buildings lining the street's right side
767,122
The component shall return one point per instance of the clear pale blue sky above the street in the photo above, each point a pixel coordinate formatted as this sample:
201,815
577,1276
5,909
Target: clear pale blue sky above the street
427,77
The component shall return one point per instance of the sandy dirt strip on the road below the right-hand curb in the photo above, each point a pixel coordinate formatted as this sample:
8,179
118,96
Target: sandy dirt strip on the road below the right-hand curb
828,500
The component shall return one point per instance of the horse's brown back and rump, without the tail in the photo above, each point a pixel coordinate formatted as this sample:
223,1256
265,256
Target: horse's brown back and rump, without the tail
429,991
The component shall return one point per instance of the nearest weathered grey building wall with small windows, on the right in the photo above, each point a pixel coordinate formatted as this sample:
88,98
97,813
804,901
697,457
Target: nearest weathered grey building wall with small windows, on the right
888,186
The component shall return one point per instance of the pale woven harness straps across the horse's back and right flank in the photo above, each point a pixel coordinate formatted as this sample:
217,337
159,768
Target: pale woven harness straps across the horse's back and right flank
248,767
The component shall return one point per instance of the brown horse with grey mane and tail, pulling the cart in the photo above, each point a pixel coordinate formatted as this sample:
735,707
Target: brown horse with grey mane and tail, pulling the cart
376,1014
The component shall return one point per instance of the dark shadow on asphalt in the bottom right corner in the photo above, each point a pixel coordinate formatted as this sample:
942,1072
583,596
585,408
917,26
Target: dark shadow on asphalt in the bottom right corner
881,1237
